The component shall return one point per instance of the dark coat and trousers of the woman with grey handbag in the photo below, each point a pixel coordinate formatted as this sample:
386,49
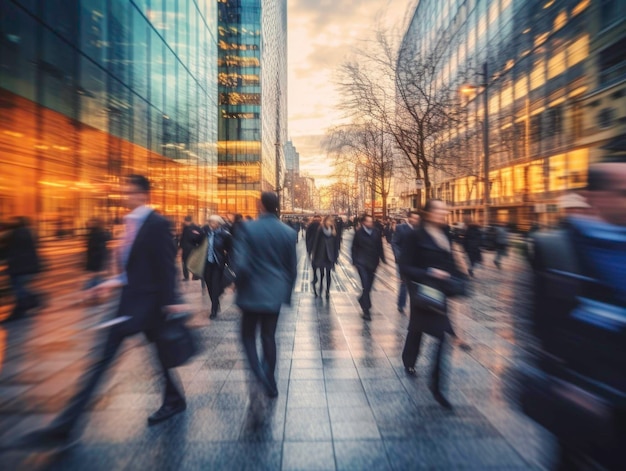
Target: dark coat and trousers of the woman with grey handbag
419,252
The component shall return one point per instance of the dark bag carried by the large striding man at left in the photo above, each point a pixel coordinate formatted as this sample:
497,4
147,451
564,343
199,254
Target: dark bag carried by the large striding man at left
175,342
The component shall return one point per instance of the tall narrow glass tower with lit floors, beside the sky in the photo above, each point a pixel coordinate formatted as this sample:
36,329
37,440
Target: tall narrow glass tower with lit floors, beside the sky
252,118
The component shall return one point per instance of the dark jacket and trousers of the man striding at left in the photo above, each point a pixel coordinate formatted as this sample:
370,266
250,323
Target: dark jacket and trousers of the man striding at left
150,286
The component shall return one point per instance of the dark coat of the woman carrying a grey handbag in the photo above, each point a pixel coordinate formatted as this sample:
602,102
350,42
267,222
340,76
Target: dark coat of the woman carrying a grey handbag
418,253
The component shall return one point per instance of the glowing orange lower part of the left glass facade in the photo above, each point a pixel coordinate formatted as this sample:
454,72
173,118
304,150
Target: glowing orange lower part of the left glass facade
62,173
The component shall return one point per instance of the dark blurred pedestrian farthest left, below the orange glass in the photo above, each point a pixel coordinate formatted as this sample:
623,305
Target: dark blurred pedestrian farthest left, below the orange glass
23,264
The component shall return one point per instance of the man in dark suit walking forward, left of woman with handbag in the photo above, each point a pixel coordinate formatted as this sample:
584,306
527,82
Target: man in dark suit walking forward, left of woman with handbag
367,251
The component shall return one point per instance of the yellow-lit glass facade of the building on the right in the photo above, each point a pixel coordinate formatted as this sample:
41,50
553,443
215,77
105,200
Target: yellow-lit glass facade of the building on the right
544,72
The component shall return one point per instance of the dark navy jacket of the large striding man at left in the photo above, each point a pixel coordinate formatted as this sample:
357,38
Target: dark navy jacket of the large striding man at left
151,276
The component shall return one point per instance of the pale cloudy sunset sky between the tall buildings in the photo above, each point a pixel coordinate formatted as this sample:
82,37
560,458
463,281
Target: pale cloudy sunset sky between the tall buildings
322,35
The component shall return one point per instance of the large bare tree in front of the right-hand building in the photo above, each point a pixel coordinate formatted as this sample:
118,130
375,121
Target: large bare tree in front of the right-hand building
401,88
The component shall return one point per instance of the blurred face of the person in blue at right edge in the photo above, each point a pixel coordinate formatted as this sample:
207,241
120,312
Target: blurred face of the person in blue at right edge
610,202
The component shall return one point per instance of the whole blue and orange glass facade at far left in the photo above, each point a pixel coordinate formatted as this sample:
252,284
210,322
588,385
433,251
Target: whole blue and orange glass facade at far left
92,90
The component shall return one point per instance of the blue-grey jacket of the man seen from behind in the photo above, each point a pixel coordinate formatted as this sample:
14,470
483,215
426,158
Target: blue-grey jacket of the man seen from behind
266,264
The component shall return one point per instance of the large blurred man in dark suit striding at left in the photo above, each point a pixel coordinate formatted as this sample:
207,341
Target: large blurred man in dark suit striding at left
148,284
